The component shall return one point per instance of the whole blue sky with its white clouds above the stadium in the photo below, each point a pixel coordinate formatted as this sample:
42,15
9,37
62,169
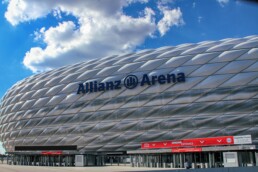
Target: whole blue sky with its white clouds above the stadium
37,36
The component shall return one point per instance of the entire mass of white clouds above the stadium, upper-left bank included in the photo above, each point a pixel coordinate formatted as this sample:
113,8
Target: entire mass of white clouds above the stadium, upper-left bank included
102,29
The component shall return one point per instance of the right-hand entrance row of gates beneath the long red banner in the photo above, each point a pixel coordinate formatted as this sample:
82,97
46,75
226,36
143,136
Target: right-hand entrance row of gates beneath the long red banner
212,159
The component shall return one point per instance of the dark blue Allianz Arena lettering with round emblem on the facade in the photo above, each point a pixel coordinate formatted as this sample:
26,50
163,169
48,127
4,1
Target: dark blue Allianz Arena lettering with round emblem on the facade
130,82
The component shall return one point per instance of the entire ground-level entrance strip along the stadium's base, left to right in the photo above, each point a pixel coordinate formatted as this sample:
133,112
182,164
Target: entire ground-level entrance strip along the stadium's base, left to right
205,157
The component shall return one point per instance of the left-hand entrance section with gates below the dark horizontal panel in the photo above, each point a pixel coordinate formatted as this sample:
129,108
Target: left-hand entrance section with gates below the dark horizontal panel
66,159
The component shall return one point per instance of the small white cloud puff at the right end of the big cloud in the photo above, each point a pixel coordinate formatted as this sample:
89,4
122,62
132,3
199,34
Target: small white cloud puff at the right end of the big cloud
171,18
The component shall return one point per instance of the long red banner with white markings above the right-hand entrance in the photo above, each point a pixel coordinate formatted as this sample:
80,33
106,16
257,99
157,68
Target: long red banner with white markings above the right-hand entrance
195,142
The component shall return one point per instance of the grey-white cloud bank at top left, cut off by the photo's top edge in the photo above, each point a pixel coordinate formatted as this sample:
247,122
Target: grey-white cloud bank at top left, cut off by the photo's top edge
26,10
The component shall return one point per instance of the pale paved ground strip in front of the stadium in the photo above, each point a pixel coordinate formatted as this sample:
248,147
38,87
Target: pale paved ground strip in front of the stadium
16,168
